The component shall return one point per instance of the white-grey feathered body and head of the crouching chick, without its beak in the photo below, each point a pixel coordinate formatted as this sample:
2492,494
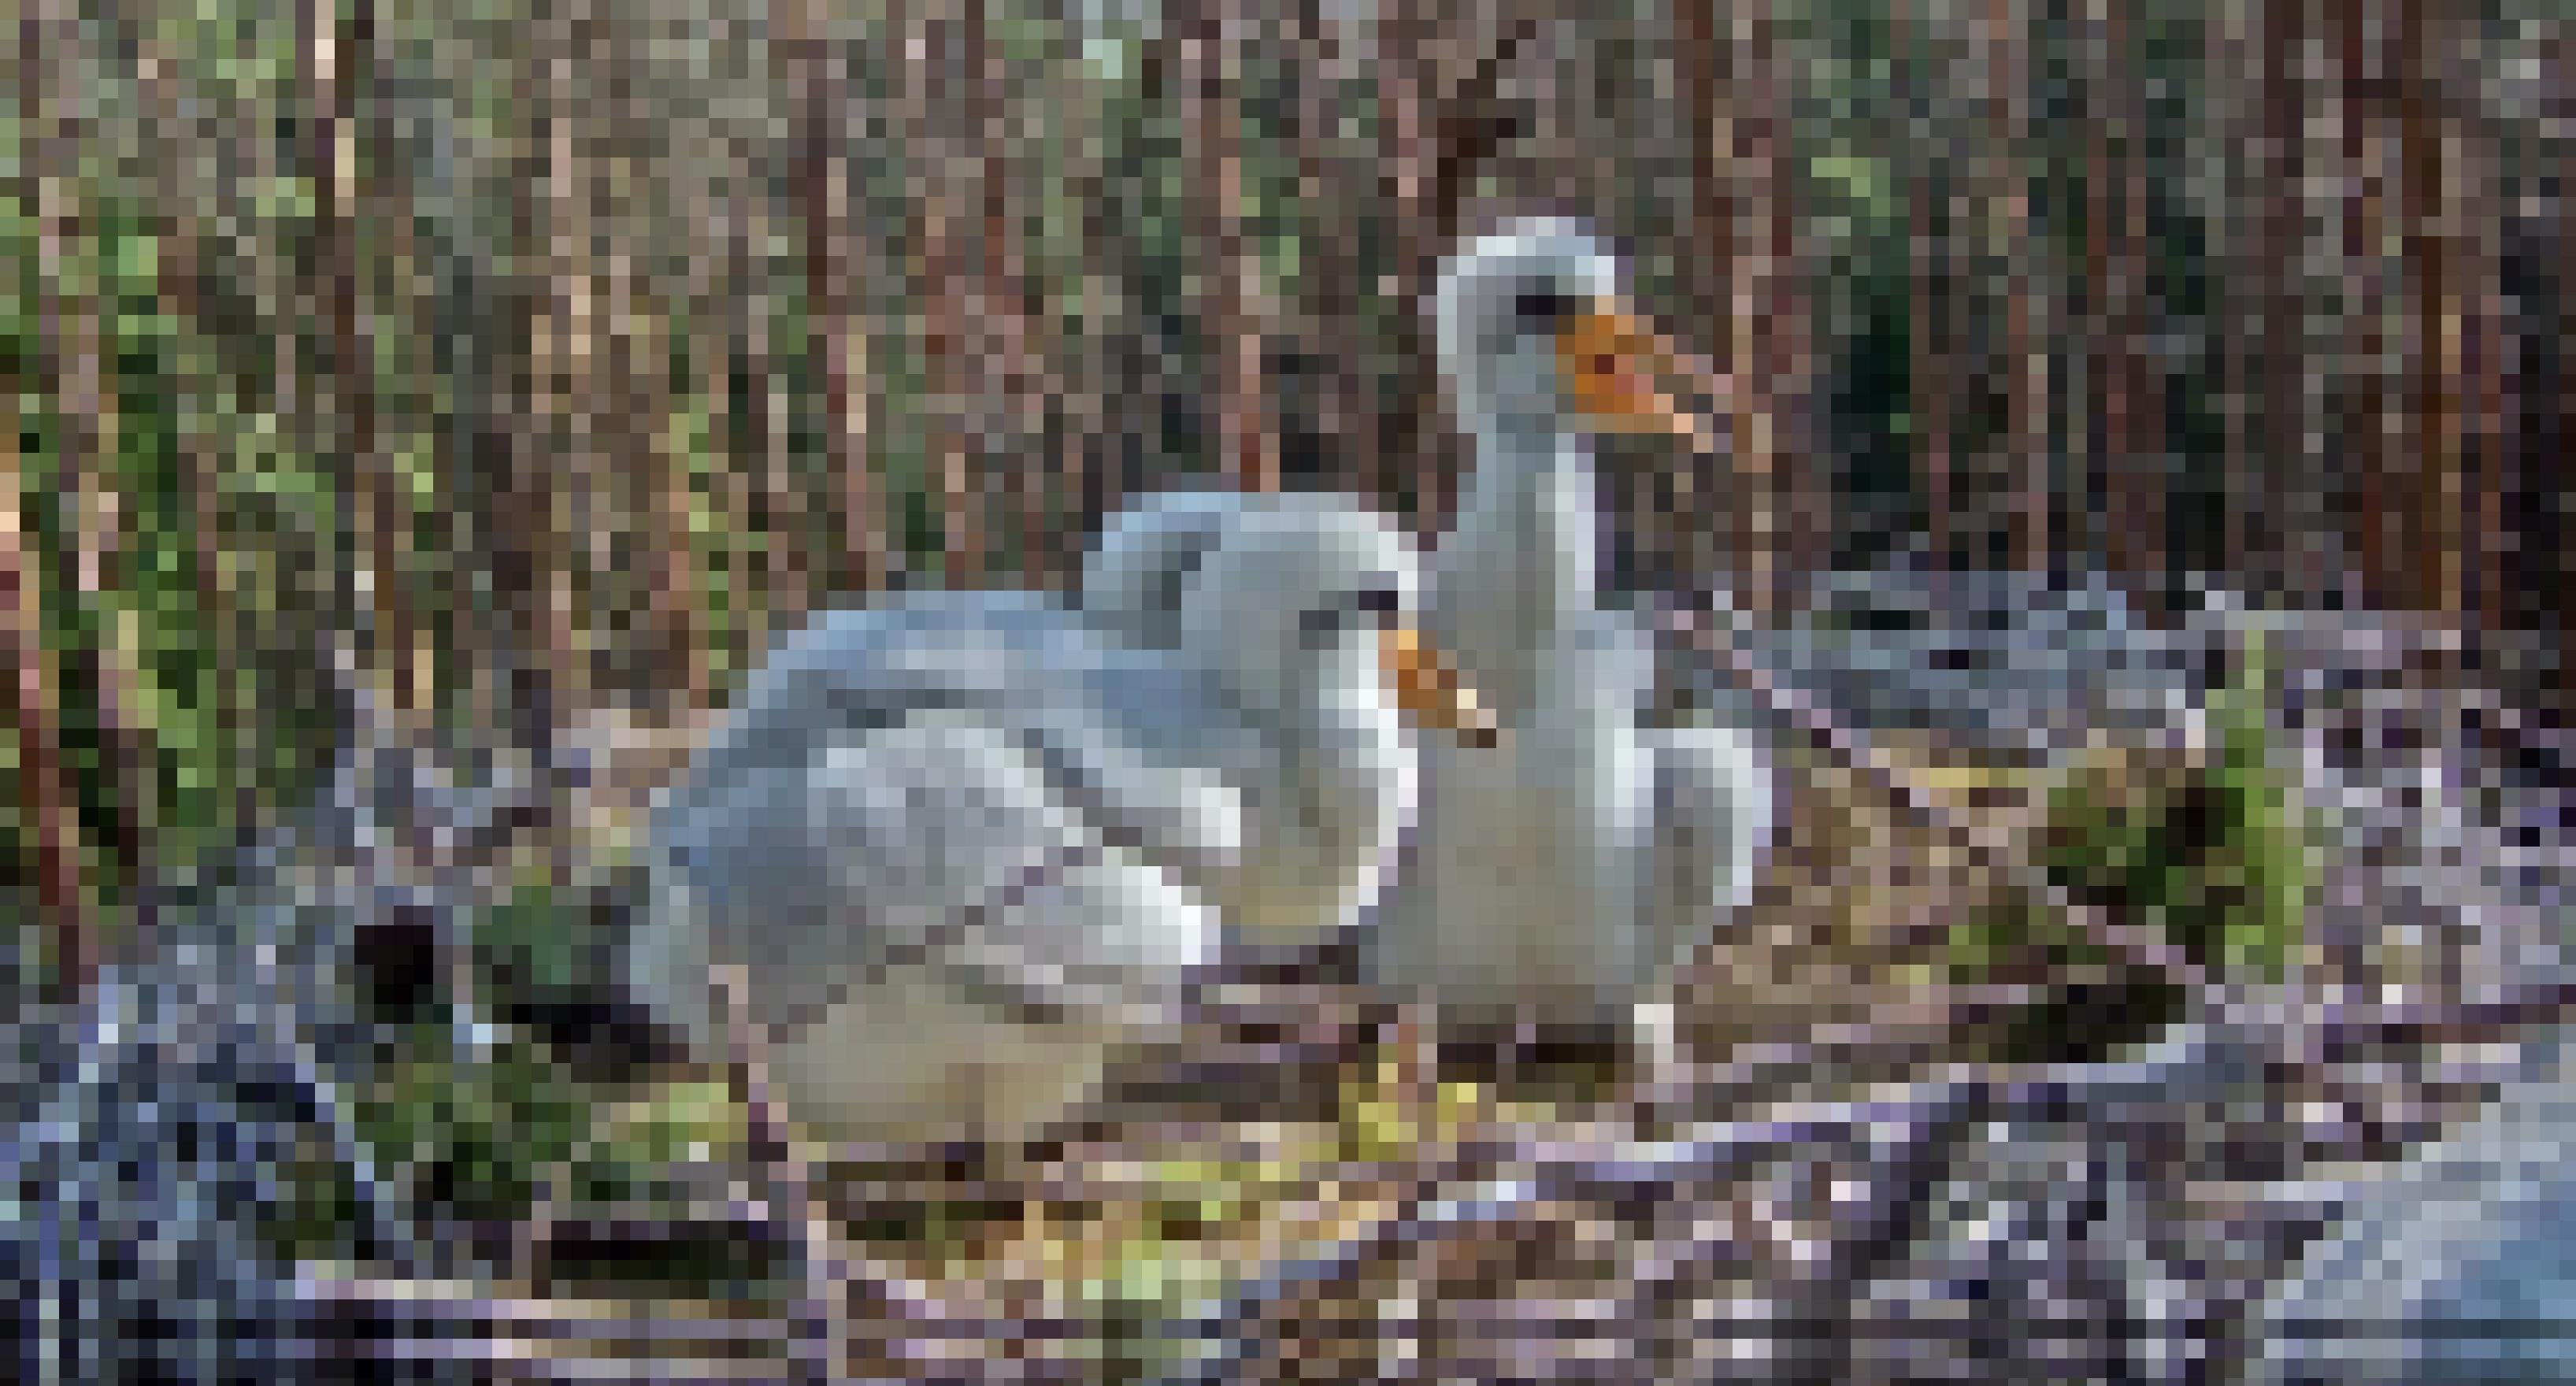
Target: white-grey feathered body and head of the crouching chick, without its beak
965,846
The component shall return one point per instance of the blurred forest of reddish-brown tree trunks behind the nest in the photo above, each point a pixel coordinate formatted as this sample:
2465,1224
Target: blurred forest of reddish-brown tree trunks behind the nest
555,357
